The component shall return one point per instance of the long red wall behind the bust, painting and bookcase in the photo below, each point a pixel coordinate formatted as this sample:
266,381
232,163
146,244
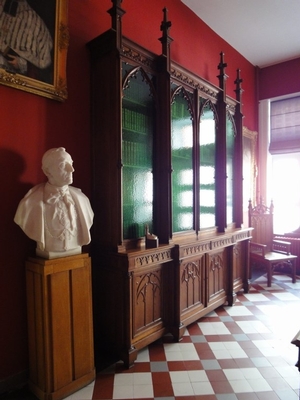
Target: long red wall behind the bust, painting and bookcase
31,124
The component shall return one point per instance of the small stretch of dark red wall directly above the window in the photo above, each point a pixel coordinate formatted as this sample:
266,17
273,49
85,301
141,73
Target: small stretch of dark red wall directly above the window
279,80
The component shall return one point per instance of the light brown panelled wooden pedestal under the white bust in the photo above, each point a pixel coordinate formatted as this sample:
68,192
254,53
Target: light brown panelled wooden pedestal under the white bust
60,325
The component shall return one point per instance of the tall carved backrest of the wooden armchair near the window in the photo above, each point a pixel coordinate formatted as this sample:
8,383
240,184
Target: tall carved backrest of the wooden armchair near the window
261,219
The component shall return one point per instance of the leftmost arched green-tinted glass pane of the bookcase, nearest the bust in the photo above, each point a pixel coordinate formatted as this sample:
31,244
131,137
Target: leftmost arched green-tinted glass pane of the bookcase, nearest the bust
138,125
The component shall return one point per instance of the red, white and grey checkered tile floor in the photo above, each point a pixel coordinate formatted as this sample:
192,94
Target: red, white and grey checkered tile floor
242,352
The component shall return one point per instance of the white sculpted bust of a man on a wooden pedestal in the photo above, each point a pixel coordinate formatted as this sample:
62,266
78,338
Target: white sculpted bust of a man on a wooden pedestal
57,216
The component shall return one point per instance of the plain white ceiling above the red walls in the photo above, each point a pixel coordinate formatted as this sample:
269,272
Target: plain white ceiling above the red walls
265,32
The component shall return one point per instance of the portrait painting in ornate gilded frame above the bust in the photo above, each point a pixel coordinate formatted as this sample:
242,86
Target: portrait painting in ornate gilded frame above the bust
34,39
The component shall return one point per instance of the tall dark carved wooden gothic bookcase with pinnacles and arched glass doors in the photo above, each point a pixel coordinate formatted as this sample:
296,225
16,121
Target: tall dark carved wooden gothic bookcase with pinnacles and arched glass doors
167,155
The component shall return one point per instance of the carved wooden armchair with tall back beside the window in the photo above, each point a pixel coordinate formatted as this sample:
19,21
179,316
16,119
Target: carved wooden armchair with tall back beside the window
264,250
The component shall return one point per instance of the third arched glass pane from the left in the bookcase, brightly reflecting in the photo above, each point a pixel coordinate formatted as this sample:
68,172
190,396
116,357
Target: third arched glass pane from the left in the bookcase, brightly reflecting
207,142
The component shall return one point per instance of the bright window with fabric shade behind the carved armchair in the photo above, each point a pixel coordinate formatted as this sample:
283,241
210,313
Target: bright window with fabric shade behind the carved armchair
285,151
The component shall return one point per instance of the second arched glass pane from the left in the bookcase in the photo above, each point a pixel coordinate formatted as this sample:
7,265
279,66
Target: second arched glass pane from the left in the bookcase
182,161
